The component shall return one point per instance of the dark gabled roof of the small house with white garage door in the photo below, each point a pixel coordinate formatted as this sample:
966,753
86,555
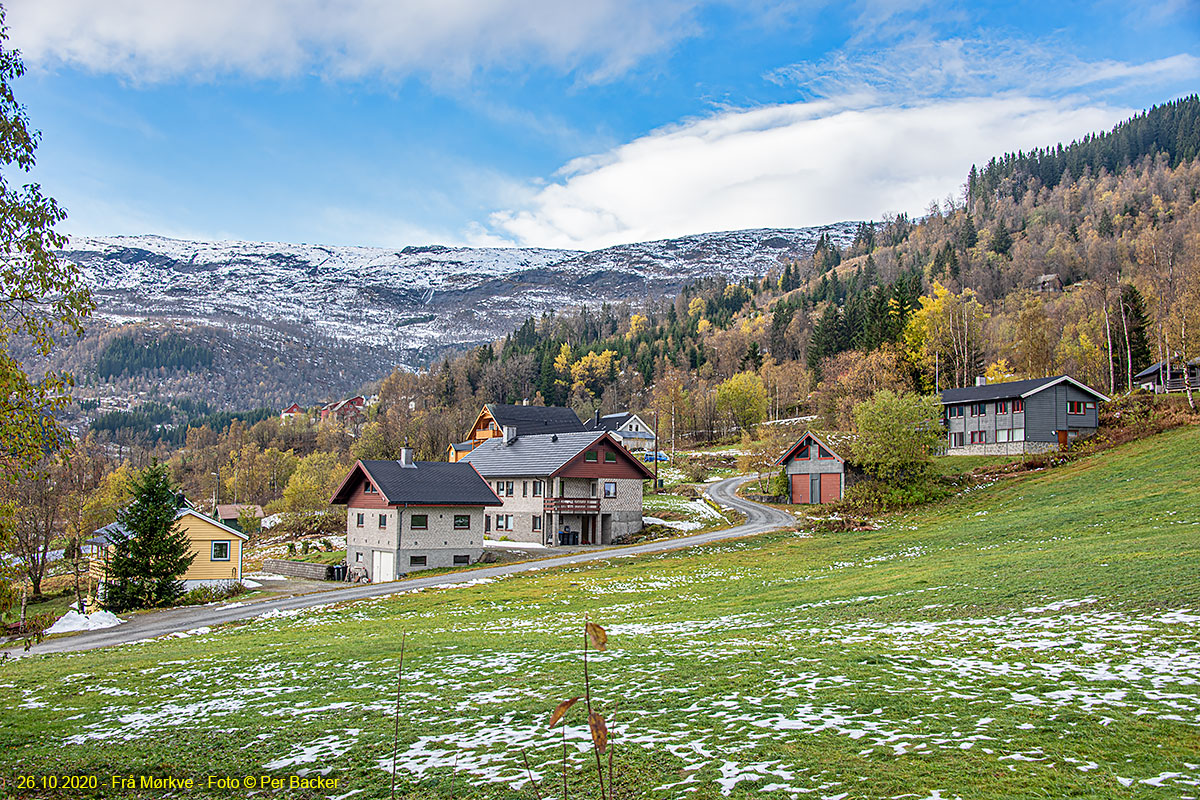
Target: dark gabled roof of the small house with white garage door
428,483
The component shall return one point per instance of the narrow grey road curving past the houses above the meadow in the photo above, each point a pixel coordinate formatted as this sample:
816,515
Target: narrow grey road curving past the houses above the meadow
760,520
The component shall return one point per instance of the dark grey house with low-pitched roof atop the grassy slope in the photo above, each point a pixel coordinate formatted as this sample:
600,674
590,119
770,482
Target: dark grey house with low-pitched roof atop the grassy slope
1019,417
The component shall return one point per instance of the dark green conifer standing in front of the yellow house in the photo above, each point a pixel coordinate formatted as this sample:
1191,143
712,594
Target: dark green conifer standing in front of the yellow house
151,554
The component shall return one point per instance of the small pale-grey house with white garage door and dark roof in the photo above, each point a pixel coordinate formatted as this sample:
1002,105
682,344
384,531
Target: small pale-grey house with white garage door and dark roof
410,515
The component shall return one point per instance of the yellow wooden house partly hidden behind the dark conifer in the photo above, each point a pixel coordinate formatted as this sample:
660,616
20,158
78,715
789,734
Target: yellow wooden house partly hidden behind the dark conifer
215,546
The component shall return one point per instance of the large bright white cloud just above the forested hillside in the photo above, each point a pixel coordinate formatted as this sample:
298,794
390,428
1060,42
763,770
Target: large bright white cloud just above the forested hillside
788,166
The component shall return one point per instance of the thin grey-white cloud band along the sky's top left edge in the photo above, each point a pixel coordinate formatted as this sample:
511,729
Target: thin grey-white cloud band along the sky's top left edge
155,40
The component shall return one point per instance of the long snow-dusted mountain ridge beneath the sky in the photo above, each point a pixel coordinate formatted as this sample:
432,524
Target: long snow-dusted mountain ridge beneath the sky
413,302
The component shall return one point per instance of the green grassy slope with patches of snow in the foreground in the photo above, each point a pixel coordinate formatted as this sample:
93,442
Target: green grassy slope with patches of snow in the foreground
925,658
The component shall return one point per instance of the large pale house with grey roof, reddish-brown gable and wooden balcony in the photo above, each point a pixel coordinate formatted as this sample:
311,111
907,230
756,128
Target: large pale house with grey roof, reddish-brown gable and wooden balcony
563,489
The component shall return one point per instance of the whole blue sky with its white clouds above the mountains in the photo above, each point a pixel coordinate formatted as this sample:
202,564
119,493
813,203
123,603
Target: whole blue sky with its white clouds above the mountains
391,123
